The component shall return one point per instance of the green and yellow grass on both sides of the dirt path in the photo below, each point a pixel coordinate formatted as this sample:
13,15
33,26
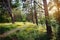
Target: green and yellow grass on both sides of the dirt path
30,32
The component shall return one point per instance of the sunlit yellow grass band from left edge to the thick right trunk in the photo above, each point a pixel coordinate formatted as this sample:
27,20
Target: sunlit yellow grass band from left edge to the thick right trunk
27,26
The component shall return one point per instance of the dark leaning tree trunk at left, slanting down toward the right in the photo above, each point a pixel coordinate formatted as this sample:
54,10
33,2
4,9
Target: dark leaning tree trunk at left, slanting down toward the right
6,4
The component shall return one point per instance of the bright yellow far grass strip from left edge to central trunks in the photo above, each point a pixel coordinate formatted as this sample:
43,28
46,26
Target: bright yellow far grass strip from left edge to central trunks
20,24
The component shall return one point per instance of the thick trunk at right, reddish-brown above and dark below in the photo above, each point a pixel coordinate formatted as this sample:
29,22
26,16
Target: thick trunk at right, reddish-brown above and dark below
48,26
